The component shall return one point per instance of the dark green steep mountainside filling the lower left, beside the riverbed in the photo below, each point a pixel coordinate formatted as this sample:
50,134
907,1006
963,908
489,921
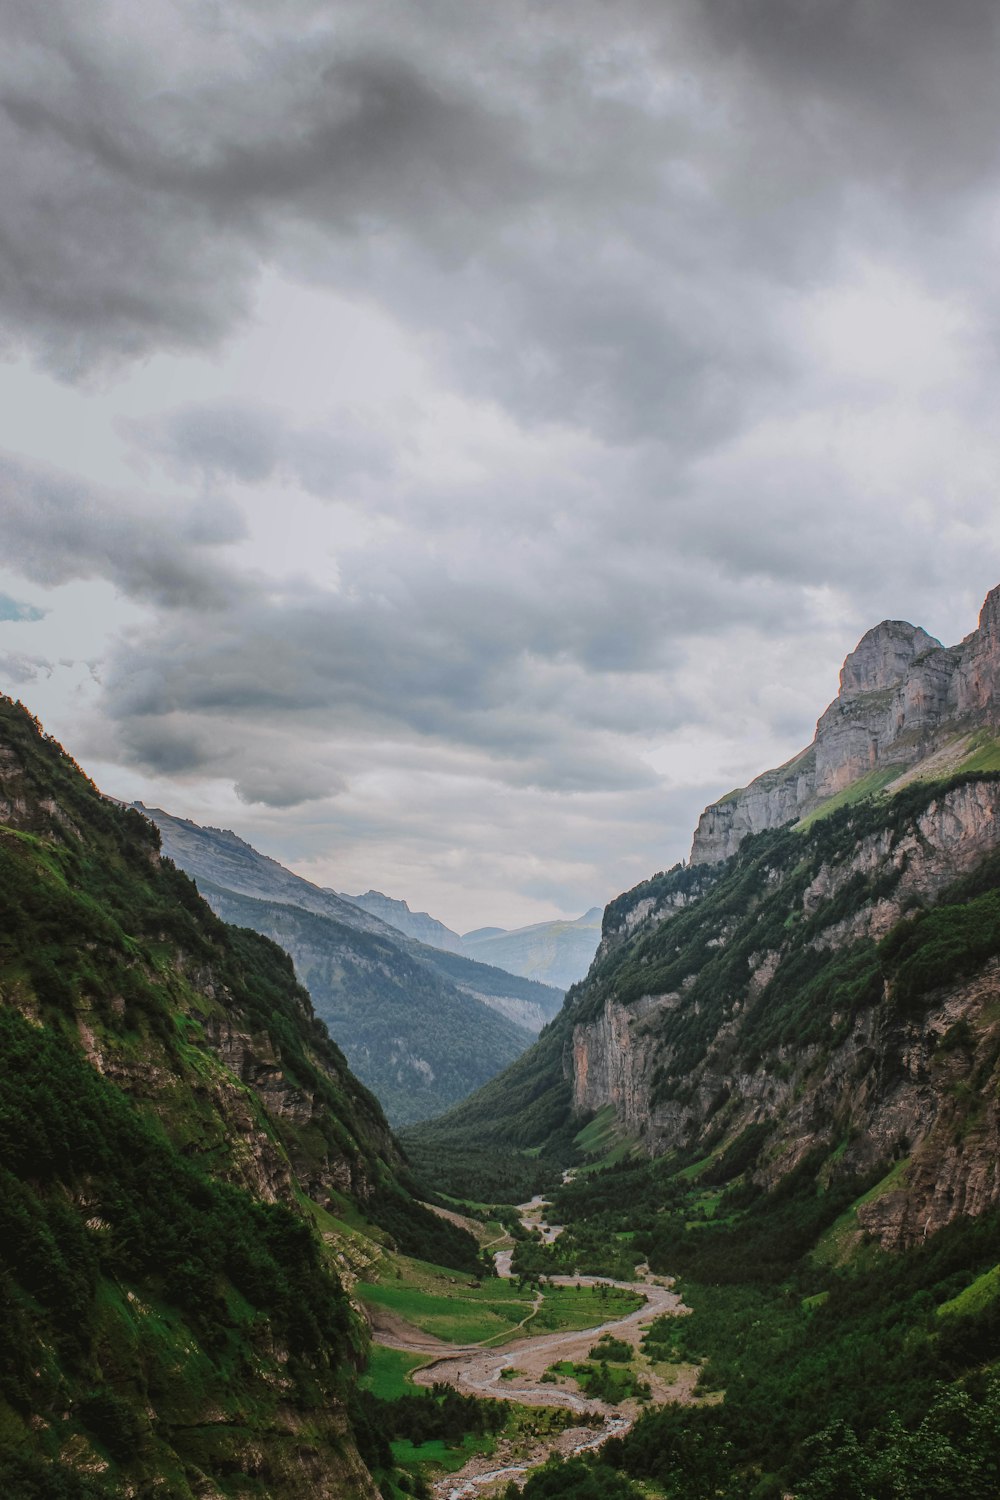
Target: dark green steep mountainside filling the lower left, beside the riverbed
179,1145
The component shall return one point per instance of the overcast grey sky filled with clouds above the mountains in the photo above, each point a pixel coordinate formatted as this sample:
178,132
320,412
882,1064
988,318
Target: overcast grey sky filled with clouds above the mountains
451,445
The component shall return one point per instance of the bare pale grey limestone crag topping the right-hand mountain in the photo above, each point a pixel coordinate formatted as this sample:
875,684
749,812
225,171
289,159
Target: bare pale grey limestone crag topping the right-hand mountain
903,698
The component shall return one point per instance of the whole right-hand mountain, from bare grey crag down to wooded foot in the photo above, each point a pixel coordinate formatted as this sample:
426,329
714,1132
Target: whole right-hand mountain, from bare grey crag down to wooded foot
816,998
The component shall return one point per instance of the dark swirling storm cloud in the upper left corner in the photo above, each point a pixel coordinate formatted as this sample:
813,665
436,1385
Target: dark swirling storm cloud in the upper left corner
143,188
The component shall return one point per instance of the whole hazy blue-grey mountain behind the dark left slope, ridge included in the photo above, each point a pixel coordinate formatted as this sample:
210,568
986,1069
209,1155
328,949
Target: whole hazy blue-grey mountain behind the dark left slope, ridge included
419,1027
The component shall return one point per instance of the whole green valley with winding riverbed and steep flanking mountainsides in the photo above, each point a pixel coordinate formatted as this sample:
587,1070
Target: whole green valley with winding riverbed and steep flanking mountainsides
729,1229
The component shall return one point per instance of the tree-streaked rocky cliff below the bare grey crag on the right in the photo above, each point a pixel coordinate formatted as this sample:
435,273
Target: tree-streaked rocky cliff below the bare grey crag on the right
785,1007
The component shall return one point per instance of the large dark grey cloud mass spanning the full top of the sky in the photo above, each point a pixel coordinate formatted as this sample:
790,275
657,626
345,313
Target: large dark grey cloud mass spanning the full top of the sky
594,212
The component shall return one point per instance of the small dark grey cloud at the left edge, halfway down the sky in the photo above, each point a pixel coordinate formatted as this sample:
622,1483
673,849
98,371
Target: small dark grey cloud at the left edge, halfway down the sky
58,529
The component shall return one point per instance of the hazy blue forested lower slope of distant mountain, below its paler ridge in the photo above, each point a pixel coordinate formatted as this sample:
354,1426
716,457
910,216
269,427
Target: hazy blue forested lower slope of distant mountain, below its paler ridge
418,1043
